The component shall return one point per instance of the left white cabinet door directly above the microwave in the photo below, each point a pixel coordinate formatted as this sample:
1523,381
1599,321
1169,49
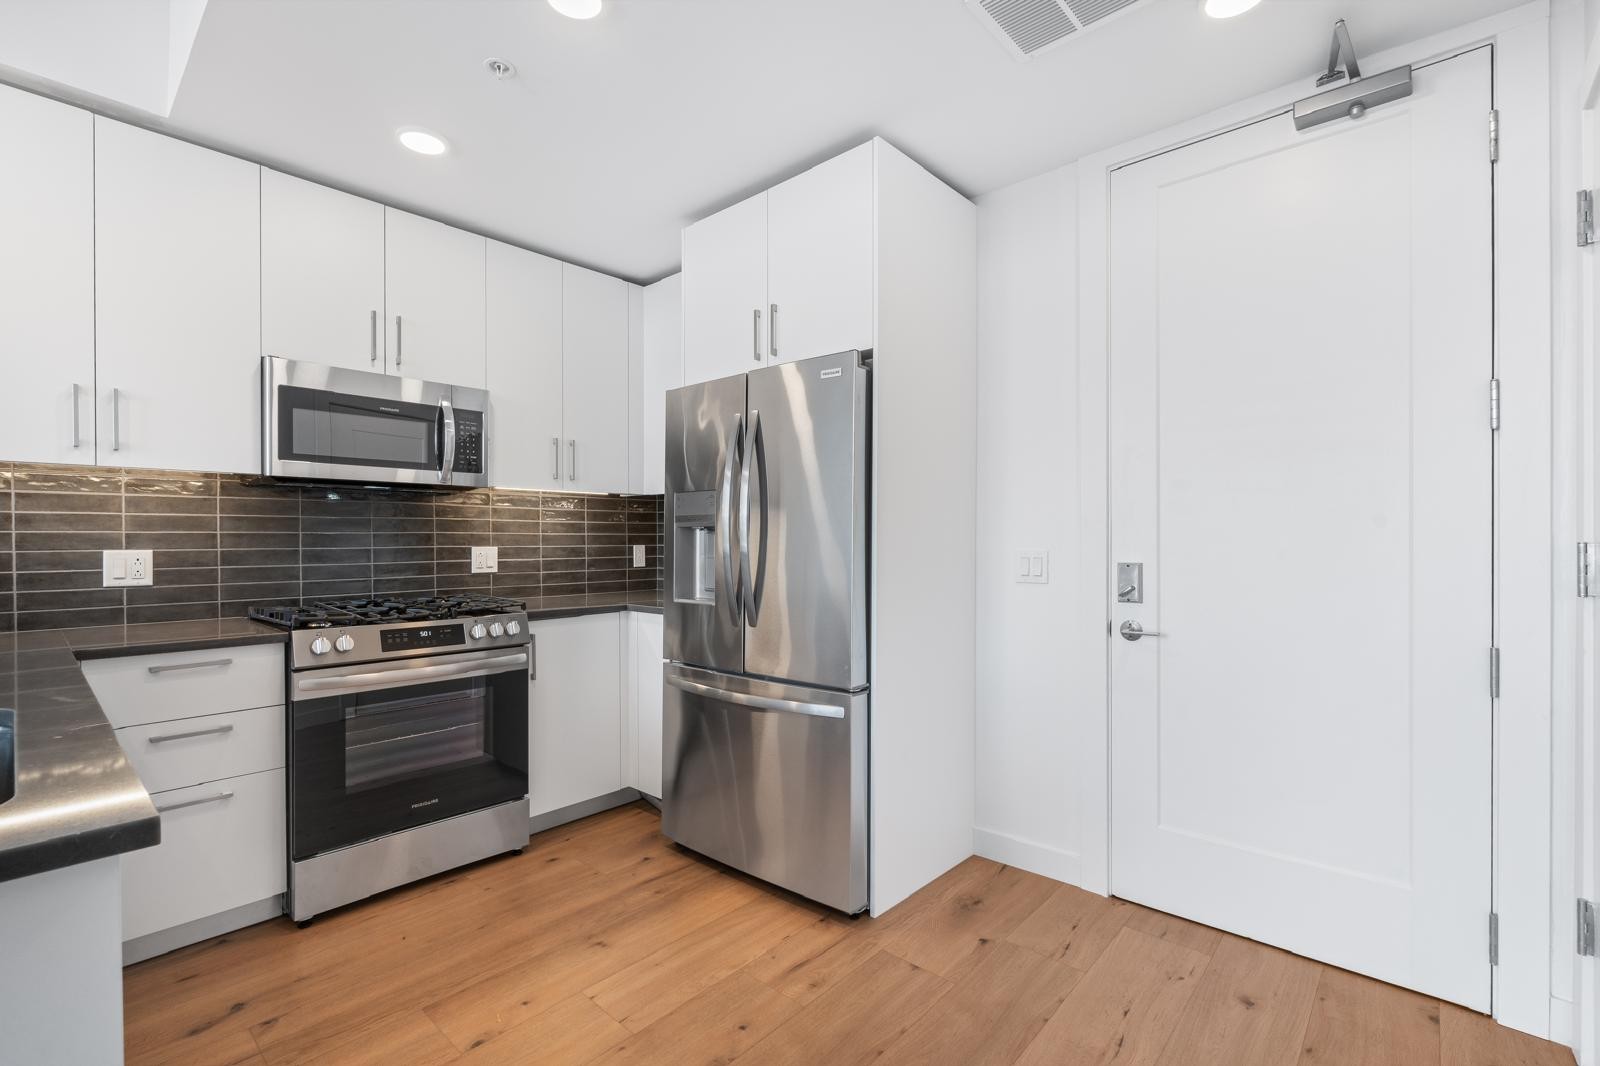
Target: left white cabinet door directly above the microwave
322,275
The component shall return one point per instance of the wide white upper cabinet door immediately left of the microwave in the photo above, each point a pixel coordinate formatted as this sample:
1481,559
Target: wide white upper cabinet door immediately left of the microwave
178,303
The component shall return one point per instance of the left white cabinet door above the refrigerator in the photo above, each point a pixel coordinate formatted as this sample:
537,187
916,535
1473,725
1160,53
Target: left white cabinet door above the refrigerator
726,292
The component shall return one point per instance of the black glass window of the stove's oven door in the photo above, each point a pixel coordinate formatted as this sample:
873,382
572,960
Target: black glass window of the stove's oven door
377,763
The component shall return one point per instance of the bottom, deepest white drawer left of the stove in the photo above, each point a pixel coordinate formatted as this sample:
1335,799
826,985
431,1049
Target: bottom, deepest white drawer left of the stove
222,848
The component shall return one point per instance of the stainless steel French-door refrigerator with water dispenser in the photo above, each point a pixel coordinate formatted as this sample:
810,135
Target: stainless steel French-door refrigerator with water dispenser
767,699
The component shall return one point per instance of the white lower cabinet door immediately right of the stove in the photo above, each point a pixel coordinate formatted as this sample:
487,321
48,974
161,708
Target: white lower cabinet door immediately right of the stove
575,711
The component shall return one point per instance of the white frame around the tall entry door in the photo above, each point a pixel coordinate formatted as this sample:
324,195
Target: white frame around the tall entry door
1527,575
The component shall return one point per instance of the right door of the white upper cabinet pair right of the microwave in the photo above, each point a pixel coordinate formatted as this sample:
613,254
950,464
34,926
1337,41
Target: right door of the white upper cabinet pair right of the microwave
594,380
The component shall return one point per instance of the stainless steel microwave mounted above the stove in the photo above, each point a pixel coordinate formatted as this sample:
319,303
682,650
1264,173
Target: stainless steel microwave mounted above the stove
330,423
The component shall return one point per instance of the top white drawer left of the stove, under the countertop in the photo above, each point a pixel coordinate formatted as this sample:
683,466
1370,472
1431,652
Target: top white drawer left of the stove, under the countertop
143,689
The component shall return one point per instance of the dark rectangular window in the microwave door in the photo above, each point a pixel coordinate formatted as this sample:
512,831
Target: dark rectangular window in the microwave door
321,427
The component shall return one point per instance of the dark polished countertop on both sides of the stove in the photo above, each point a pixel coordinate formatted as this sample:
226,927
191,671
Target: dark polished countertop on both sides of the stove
78,796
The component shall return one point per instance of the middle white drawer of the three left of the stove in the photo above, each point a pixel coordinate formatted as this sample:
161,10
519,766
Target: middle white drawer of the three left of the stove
190,751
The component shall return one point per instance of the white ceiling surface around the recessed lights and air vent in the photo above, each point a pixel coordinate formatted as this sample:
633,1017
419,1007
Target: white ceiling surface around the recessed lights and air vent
623,129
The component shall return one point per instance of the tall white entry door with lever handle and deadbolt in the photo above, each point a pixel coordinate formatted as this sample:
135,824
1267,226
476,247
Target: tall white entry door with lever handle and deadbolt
1302,460
